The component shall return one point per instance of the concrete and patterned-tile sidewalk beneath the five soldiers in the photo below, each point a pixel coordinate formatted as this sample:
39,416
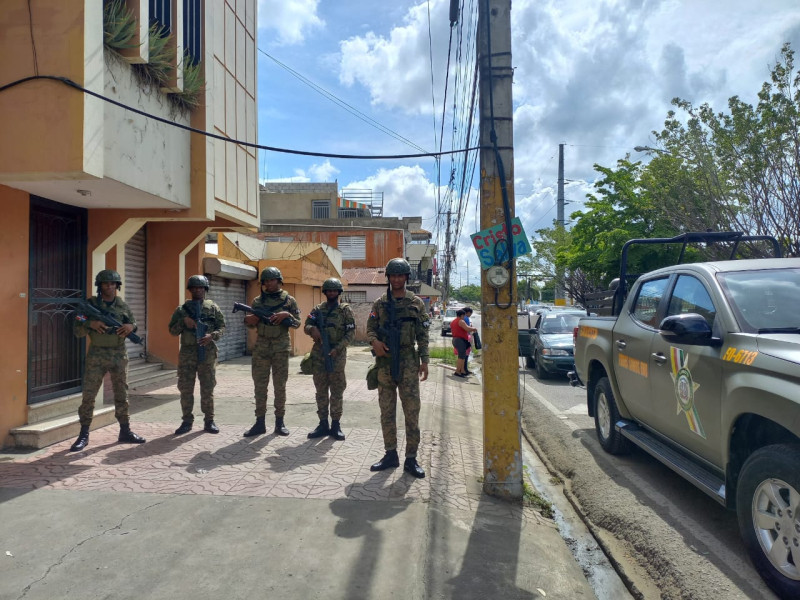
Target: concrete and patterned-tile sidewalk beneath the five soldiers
226,517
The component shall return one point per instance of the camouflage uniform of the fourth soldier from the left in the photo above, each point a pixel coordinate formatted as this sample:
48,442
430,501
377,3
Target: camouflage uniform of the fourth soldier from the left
340,325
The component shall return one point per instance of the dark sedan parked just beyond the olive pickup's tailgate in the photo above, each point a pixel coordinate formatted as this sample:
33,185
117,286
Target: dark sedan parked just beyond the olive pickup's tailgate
553,344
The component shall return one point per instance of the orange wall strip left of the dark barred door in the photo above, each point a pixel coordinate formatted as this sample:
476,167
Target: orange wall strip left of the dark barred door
14,251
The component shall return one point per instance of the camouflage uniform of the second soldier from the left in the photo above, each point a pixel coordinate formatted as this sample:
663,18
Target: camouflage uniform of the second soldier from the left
188,365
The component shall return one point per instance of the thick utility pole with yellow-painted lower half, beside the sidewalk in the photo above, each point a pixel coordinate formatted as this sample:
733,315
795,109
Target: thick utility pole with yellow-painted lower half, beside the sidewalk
502,448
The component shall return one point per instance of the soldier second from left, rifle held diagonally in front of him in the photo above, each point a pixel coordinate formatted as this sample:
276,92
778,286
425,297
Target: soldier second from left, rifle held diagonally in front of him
183,324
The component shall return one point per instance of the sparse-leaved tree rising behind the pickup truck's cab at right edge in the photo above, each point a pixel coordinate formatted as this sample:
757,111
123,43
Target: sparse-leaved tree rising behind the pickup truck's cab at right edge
738,170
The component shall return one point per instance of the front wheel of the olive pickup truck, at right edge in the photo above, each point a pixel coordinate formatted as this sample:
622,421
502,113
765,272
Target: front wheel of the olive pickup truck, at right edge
768,507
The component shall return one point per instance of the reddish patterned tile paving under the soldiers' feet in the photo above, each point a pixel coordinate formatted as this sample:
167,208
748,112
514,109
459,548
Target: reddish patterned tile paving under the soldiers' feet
269,465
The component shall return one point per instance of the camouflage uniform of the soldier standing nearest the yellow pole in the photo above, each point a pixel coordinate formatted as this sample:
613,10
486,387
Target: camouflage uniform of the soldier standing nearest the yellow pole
414,322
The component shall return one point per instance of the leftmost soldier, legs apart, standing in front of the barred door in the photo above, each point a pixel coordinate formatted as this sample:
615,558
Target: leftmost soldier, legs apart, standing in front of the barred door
107,354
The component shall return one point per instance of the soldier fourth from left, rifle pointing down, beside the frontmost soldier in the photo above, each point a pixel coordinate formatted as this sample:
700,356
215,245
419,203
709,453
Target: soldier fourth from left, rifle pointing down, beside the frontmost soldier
340,326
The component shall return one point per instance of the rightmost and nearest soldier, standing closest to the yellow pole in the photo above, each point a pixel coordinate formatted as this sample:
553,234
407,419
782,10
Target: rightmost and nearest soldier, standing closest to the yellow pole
413,321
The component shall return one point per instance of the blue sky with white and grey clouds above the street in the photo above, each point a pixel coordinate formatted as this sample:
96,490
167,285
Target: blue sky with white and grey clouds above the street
596,76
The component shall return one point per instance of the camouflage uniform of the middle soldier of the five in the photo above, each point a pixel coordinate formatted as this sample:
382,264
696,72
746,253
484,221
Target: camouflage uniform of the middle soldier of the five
271,352
